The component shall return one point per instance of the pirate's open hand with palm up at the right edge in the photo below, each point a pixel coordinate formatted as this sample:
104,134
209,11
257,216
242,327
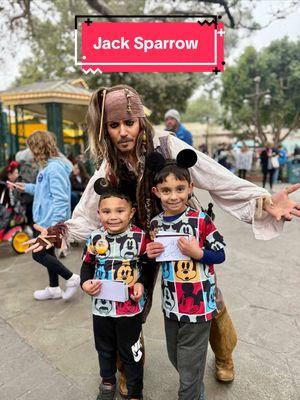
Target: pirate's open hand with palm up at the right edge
283,207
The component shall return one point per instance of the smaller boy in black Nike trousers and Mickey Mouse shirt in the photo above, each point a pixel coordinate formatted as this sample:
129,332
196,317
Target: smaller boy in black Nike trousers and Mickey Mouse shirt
113,253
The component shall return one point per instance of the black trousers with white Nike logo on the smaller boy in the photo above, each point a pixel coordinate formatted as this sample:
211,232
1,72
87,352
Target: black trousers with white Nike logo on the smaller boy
120,335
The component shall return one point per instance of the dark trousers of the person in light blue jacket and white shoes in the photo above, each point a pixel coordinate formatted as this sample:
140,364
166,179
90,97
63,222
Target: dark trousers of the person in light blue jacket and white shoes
55,268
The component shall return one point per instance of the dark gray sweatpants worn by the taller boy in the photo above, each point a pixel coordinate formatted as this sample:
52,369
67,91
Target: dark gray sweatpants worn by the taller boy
187,349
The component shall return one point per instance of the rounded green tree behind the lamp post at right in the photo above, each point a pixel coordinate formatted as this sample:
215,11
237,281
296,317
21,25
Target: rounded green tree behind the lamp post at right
278,67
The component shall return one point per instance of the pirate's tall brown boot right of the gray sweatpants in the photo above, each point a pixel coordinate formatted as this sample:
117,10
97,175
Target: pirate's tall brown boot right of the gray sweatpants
223,340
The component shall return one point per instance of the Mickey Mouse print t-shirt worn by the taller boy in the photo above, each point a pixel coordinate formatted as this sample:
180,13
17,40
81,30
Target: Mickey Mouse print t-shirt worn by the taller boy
188,286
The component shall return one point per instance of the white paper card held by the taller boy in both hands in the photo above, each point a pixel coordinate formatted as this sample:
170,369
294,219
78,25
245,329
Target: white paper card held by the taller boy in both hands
171,251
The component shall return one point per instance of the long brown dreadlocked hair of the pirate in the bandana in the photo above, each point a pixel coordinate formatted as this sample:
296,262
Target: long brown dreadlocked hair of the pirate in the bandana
102,148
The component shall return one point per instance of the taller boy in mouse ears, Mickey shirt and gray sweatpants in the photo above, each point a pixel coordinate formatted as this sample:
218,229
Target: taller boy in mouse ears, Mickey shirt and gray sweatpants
188,285
